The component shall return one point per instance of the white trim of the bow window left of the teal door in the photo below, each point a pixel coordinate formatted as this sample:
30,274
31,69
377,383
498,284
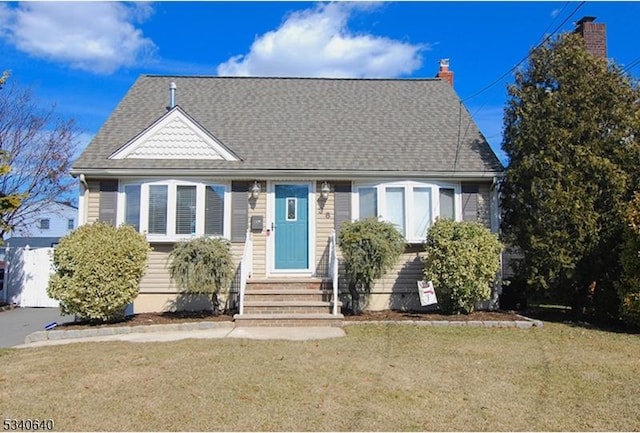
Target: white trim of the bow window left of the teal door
172,184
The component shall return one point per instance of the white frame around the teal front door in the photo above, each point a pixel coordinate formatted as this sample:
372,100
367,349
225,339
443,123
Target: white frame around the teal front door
271,218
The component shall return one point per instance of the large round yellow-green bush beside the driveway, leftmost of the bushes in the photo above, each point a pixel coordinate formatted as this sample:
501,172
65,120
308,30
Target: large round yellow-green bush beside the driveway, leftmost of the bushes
97,270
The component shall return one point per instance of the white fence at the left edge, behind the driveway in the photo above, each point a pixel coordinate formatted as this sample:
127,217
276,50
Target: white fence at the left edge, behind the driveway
27,274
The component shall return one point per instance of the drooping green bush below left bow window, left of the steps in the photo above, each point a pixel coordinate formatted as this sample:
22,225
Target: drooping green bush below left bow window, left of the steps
203,266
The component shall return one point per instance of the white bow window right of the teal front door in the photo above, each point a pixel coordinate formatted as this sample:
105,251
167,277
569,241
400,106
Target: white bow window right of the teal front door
409,205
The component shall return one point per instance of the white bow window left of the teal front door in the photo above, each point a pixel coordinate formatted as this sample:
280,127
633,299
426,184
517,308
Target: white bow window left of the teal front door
174,209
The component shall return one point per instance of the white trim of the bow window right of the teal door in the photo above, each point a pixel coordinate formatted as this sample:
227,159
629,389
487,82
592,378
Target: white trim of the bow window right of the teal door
381,185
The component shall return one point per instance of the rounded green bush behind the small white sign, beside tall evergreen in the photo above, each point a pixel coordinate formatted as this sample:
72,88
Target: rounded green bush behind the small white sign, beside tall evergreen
462,260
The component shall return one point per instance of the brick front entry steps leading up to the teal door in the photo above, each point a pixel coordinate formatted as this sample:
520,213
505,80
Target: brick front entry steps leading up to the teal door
288,302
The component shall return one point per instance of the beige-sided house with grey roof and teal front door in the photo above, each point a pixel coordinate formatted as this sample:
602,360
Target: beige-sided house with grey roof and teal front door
276,165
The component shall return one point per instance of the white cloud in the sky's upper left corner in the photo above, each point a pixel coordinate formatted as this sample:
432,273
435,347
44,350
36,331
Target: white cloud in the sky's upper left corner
99,37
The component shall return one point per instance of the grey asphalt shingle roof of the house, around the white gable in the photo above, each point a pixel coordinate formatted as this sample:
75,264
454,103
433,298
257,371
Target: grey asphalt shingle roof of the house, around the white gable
327,125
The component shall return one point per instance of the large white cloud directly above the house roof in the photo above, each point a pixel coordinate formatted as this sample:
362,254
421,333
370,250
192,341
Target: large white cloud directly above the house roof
318,43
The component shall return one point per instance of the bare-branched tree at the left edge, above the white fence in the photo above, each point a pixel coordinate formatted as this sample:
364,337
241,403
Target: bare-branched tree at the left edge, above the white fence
38,146
